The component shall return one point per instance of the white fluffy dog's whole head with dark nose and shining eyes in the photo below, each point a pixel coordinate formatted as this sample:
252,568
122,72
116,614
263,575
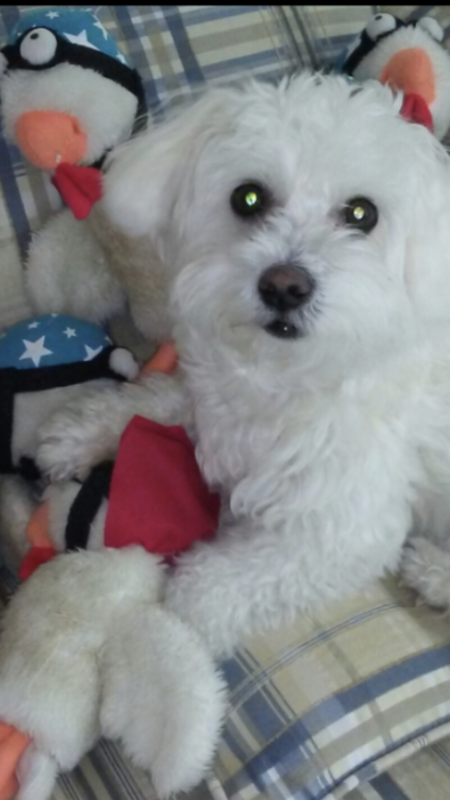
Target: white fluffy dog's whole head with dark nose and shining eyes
305,222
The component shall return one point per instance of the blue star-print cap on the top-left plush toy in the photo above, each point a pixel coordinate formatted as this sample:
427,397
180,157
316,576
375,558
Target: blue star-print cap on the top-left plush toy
75,25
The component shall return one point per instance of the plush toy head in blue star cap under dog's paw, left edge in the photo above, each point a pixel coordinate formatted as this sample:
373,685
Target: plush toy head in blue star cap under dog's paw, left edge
45,361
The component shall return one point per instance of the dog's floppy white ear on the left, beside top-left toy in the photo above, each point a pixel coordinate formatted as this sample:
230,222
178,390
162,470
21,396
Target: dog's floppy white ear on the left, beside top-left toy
142,177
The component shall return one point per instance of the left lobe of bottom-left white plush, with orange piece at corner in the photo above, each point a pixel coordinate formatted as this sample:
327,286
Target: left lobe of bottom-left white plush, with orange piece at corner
53,632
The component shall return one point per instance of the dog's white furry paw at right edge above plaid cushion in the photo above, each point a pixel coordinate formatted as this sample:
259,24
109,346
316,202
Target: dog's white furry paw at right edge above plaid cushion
425,567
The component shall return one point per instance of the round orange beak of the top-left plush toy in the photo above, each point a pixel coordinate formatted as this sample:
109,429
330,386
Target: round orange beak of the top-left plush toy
48,138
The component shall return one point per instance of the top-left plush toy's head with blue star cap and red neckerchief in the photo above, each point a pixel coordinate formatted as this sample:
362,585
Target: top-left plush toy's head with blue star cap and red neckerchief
68,96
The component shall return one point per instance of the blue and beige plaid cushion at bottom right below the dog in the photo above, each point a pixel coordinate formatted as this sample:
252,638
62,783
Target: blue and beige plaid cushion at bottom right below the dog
331,702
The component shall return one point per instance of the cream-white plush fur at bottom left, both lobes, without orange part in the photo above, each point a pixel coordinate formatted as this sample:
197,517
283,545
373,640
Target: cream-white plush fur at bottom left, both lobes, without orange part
86,651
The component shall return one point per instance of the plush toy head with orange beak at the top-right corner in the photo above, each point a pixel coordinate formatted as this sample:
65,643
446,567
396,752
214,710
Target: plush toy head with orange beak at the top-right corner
410,57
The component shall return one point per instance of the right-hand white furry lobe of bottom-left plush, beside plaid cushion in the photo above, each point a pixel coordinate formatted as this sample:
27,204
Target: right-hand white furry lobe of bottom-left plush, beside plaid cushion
163,698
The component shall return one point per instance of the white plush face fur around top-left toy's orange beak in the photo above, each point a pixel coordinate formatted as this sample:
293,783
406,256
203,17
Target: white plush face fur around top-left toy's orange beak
103,108
